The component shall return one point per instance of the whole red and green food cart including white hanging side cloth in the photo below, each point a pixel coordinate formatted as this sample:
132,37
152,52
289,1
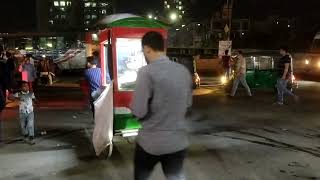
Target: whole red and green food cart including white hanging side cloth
121,57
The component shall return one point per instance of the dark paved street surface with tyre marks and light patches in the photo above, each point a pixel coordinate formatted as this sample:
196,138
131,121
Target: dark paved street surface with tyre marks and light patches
232,139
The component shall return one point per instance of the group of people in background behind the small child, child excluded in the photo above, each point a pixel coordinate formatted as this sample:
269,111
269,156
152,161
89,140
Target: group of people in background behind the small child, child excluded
17,69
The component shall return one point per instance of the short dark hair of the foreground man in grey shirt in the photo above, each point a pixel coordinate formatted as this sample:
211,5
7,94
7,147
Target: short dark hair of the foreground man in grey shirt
154,40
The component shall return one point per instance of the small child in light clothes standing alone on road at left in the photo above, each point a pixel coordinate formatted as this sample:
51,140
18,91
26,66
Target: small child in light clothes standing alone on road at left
26,113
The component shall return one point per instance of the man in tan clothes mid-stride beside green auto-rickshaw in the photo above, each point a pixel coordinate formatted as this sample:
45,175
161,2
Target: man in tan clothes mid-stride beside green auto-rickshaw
241,70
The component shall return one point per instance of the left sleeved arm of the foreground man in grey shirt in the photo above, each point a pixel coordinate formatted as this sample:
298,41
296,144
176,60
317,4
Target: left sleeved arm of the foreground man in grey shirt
142,95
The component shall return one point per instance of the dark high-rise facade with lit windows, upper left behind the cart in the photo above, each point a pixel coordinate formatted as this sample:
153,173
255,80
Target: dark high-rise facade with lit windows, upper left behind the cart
71,15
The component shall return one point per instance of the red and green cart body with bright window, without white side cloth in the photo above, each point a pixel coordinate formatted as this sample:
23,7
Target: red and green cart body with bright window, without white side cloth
121,57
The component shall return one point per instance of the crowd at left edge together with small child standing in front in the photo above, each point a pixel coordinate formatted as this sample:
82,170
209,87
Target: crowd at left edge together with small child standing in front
18,78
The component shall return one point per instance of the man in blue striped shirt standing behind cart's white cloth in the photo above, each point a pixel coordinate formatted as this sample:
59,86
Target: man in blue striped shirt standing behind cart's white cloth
93,76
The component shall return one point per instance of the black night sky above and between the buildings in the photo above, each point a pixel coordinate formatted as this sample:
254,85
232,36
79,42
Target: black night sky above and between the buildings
20,15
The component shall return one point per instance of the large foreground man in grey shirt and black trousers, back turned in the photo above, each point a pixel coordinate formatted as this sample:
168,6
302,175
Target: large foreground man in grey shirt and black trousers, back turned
162,96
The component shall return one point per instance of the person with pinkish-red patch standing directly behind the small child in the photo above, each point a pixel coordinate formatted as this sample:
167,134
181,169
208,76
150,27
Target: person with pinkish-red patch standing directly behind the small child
28,73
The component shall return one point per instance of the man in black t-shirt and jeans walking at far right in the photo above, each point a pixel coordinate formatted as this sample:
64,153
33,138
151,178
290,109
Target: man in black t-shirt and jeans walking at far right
285,73
